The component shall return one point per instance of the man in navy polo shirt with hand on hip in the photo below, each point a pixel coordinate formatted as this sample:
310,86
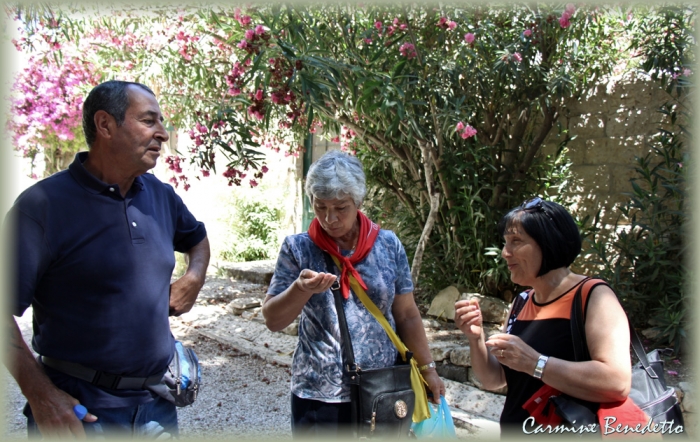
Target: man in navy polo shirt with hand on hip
94,258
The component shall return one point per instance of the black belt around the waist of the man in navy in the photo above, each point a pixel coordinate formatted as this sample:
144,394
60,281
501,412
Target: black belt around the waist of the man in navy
100,378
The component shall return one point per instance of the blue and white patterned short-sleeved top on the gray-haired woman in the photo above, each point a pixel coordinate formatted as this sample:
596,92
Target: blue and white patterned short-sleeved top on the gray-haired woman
317,362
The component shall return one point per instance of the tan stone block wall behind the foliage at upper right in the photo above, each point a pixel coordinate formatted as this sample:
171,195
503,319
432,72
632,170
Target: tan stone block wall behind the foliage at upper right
613,123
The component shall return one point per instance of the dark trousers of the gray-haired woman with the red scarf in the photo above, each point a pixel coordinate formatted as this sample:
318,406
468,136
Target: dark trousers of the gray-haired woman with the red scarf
316,419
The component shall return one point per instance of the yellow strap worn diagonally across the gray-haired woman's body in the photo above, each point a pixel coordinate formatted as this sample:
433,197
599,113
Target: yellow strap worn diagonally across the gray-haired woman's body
421,410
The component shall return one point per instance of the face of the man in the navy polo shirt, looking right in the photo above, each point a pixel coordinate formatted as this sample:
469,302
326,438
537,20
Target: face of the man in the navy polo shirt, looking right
138,140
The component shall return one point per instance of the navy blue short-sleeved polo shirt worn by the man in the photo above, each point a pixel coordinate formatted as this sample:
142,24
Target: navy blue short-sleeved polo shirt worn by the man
96,269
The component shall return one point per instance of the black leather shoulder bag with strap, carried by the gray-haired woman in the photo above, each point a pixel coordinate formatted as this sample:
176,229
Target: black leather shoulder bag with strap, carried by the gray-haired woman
382,398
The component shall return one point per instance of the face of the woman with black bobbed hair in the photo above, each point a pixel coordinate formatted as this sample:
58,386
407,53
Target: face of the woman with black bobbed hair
523,256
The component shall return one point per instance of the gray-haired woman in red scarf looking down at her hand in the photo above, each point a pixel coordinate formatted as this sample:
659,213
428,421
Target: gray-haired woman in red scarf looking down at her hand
301,284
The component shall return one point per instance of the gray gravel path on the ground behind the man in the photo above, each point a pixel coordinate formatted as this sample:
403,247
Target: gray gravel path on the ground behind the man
241,395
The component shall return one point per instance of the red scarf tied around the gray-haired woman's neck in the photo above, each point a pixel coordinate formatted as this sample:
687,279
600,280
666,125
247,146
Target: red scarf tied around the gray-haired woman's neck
365,242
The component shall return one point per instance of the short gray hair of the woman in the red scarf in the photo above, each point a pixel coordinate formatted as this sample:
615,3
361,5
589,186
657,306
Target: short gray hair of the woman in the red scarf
335,175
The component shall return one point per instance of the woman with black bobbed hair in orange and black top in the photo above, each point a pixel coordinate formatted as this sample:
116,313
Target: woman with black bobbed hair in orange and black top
535,347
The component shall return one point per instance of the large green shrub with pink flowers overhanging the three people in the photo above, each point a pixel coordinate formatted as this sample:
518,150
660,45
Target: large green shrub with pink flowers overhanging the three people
390,84
